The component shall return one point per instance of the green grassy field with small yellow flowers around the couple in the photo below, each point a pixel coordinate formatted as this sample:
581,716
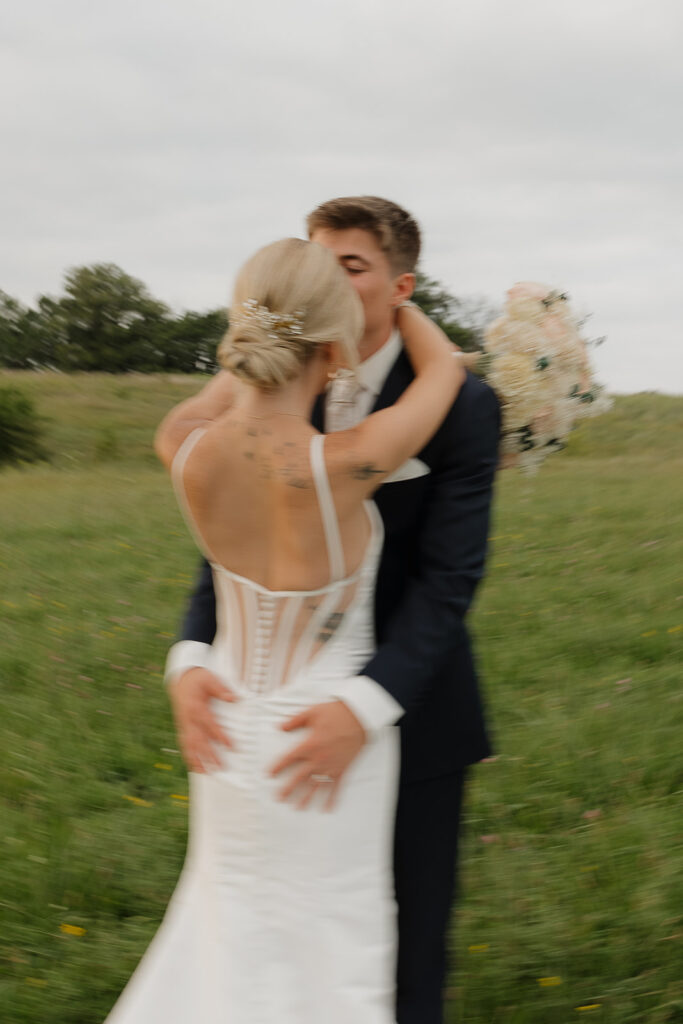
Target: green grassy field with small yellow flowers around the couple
573,901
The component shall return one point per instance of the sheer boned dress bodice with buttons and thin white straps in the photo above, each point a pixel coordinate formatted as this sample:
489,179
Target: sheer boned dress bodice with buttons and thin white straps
268,639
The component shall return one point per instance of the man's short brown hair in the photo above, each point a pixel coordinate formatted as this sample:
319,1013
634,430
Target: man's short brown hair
396,231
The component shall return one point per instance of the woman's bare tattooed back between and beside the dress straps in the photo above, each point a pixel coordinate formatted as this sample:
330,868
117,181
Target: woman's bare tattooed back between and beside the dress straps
250,491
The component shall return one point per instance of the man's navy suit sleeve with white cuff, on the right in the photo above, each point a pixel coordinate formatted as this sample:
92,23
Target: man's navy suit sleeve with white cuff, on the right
429,626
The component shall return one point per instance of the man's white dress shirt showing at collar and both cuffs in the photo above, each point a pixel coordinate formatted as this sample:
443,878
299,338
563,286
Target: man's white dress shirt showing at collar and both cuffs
372,705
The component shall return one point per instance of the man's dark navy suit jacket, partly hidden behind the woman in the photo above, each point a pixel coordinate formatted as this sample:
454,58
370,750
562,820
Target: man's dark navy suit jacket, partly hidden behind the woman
437,529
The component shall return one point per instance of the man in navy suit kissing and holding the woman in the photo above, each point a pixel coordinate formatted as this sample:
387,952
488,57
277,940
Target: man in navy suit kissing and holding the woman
422,676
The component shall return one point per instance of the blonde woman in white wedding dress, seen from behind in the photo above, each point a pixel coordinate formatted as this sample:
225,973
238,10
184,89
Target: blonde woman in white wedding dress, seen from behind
285,910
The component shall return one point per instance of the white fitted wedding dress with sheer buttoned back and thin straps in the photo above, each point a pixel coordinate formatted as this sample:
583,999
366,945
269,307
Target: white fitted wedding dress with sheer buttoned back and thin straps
282,916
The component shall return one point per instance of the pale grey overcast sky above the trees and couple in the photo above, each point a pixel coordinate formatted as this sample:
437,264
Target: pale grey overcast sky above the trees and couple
533,141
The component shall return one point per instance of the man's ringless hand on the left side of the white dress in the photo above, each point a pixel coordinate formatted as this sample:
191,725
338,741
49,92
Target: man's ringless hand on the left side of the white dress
198,730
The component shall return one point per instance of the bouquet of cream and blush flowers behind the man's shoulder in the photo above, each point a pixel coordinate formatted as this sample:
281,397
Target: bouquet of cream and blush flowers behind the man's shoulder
537,362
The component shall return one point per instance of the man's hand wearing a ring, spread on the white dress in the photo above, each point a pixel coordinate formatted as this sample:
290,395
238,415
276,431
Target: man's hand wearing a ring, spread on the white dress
335,738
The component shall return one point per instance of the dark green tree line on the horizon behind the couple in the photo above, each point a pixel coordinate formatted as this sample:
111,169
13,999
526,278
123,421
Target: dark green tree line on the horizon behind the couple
109,322
